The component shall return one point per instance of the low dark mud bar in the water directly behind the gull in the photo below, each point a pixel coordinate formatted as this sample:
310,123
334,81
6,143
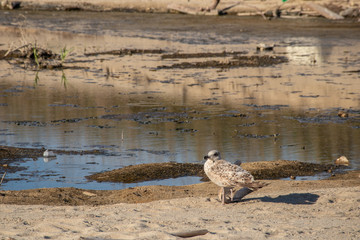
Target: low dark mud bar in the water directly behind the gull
260,170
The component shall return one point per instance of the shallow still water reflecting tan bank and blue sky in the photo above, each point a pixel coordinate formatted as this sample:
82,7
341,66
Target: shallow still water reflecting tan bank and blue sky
140,114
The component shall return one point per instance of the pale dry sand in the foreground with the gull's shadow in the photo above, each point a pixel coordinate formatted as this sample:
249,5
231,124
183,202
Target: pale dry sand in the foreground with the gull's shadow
323,209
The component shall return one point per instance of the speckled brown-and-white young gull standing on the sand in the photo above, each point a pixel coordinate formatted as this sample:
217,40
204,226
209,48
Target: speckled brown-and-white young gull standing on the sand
227,175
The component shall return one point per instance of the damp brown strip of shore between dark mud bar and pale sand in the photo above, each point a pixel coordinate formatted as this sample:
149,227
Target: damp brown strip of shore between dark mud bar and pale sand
76,197
